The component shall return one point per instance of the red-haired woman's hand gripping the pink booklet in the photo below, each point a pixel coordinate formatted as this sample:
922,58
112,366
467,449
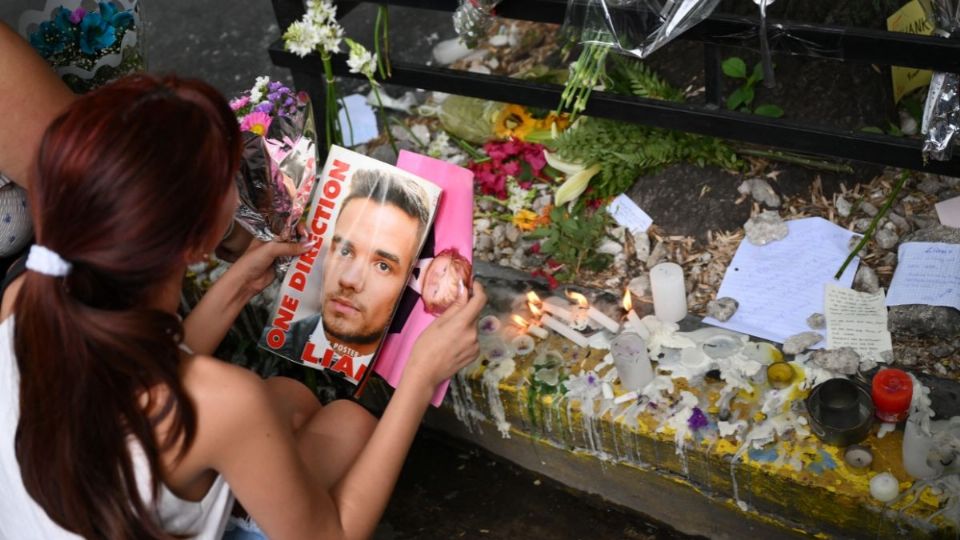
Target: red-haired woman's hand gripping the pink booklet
449,343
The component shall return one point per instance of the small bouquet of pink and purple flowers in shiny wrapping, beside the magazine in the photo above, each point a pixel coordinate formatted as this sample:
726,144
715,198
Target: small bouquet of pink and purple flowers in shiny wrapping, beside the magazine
279,165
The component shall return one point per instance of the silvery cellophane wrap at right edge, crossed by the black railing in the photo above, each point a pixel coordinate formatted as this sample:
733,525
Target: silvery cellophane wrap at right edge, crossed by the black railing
941,114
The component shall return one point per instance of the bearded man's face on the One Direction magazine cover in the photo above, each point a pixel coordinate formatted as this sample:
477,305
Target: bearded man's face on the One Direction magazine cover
366,269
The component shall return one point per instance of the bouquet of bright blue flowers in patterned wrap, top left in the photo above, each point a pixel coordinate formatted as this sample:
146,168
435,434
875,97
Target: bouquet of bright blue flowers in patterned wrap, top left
87,48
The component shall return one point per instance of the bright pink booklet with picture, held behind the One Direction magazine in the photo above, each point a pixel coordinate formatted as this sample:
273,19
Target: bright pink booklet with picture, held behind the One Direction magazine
444,270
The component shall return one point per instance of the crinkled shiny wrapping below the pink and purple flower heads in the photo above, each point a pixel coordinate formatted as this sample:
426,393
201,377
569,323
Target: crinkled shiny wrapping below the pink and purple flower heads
277,174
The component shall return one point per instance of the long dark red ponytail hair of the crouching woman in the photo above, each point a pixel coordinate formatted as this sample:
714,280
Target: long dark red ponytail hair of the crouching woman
129,180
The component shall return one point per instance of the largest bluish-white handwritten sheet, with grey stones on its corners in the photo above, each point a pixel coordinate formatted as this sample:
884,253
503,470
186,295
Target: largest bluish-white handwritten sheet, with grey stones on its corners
780,284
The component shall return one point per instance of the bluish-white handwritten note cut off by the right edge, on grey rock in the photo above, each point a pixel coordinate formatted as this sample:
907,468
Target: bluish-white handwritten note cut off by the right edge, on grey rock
927,273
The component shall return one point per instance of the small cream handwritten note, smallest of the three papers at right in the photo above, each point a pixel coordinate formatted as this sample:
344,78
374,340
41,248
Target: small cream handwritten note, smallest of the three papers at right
857,320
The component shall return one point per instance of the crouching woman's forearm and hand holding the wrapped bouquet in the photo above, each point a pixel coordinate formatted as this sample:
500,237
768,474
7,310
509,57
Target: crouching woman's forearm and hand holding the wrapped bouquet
208,322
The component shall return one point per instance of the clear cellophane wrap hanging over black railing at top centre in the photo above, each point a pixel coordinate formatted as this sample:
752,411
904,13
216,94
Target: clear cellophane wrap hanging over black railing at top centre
635,27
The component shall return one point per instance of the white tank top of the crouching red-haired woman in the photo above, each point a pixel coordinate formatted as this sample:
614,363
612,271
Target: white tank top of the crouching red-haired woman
21,518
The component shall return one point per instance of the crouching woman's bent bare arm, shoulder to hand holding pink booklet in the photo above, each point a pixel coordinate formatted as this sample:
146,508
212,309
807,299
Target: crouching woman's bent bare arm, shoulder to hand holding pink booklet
282,481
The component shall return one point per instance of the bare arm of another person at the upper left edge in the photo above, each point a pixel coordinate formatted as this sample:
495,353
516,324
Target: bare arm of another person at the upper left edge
33,96
